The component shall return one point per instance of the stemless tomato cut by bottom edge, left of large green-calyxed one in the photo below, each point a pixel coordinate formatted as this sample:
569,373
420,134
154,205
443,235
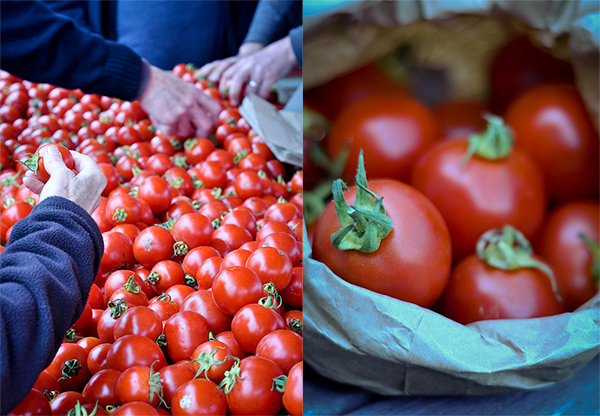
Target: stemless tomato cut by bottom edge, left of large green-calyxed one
199,397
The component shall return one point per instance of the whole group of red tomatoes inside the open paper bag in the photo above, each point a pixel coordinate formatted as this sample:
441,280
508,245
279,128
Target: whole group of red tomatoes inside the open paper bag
493,217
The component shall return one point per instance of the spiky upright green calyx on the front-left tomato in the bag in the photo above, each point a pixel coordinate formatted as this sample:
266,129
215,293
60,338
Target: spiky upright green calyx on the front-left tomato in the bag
364,224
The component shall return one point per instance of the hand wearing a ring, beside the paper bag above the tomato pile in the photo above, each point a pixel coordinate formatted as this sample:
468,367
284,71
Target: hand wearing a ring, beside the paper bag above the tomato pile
257,72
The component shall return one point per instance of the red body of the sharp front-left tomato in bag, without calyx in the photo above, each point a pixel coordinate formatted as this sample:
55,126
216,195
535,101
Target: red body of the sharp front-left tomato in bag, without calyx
412,263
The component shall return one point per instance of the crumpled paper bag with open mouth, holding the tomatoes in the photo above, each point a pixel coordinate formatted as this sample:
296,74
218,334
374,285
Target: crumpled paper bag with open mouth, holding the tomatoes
391,347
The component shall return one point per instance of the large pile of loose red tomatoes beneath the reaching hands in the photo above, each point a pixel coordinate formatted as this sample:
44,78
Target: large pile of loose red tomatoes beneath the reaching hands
197,307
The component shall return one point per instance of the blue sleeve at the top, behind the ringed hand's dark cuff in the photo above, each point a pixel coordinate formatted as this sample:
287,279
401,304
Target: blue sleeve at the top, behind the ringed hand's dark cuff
273,20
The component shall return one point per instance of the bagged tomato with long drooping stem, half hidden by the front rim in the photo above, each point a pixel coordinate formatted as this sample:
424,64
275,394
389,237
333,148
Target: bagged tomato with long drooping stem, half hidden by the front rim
479,289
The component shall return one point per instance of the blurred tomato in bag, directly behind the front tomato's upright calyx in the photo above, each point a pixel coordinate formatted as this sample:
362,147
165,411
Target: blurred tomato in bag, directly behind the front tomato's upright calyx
392,130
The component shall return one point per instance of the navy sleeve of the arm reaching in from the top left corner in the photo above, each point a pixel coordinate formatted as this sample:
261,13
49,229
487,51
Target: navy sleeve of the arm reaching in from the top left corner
43,46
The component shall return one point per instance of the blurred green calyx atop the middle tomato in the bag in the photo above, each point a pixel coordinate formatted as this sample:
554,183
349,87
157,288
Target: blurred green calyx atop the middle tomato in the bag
496,142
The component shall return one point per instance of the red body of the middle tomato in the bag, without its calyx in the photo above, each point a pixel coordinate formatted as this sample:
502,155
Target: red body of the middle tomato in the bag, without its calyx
480,194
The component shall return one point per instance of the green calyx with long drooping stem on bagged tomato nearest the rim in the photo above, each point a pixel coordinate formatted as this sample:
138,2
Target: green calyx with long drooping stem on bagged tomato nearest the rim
507,248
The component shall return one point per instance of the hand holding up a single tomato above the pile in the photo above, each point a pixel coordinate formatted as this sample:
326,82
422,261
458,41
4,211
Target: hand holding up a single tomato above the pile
83,188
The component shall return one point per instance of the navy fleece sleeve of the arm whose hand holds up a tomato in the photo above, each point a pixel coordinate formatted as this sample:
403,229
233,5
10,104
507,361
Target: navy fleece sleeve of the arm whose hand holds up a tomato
47,269
